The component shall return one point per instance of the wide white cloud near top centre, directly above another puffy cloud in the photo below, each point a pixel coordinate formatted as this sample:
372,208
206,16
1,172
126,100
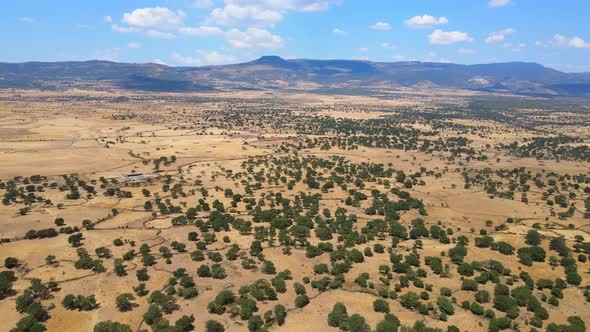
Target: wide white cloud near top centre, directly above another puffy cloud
233,14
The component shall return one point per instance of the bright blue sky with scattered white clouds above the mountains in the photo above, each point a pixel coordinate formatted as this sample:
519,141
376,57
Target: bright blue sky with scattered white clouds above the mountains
204,32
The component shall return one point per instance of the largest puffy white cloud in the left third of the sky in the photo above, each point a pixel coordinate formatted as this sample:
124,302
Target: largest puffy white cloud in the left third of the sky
155,18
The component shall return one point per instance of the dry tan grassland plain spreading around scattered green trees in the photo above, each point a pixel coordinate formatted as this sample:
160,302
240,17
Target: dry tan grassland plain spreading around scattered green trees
53,146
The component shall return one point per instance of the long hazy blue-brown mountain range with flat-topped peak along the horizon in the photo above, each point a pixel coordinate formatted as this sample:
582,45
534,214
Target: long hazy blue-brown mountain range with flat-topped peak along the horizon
273,72
